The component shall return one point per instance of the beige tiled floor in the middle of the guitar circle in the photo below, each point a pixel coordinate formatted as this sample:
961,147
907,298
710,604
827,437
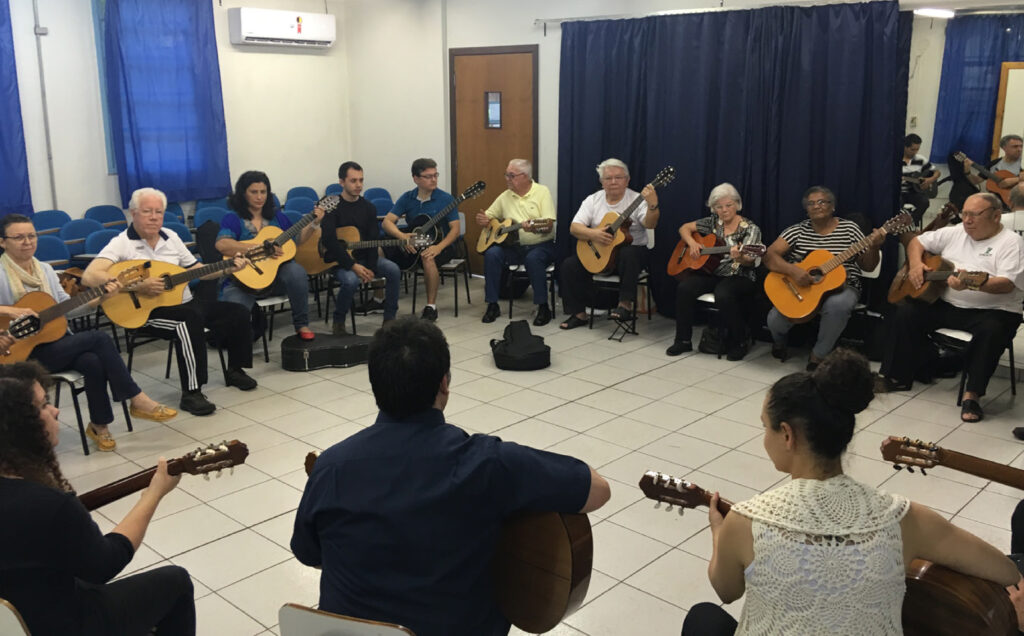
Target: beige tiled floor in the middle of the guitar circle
623,407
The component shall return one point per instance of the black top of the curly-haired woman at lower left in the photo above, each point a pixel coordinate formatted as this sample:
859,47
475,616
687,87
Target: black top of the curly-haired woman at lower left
48,543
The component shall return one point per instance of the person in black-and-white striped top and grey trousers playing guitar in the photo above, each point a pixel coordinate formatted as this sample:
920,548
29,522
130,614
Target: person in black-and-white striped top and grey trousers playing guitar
821,231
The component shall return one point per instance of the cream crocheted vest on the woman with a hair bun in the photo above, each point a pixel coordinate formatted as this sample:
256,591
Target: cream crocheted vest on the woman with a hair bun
828,560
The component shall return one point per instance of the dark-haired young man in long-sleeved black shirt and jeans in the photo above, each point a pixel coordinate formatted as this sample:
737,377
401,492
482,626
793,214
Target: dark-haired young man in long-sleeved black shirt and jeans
363,265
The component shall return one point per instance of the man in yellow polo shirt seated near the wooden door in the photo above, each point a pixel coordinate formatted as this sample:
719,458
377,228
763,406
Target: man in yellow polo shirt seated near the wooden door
526,202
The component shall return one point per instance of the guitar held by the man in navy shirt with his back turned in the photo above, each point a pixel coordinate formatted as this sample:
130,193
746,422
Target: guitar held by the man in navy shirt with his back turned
542,567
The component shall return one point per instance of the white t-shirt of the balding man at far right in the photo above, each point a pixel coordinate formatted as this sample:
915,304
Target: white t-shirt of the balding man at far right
1001,256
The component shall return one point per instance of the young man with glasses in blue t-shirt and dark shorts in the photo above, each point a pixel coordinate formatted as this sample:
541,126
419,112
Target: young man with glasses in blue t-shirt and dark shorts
419,206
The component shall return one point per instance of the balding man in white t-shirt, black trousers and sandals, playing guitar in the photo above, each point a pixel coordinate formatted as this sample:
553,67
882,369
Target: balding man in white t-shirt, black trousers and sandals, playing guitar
991,311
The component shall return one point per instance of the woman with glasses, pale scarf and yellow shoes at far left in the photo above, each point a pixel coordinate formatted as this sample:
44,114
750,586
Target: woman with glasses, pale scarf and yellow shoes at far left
91,353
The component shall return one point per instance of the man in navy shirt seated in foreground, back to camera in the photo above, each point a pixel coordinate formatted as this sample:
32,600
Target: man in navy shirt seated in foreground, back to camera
404,517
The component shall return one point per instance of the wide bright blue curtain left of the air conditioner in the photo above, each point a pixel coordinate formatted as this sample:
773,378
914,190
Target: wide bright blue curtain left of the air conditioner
163,92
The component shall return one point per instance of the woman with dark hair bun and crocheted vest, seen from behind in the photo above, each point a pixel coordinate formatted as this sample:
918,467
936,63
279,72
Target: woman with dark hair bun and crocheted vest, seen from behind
825,554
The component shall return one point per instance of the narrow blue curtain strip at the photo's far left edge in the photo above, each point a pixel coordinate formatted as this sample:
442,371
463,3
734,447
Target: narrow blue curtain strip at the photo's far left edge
16,198
